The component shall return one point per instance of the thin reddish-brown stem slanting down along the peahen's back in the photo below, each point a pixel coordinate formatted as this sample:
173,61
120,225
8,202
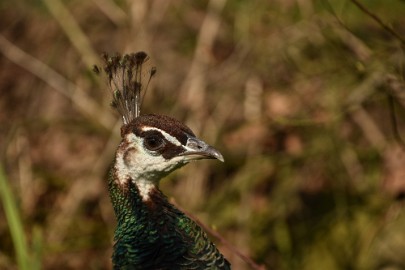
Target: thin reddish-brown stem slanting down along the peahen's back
217,235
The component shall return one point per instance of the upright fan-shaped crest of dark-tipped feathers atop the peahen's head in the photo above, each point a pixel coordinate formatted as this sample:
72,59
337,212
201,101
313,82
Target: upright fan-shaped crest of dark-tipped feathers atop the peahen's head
125,79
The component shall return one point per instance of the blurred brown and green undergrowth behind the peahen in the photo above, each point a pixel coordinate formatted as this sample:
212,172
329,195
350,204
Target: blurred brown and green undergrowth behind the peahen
300,97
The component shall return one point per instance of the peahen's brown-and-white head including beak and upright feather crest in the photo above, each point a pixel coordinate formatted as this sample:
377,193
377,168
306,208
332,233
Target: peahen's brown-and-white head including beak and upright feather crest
152,145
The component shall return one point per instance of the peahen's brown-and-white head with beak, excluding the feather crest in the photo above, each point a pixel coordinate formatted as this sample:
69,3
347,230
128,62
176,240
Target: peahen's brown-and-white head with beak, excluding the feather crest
154,145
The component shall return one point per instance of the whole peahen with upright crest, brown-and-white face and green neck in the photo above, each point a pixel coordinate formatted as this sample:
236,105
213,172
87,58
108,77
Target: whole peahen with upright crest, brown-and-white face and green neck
152,233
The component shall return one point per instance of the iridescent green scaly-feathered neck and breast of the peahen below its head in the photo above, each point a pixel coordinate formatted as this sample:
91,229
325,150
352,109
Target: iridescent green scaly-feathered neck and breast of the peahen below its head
153,234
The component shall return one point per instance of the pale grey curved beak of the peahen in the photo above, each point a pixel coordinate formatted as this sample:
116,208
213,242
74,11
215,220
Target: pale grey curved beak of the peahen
198,149
